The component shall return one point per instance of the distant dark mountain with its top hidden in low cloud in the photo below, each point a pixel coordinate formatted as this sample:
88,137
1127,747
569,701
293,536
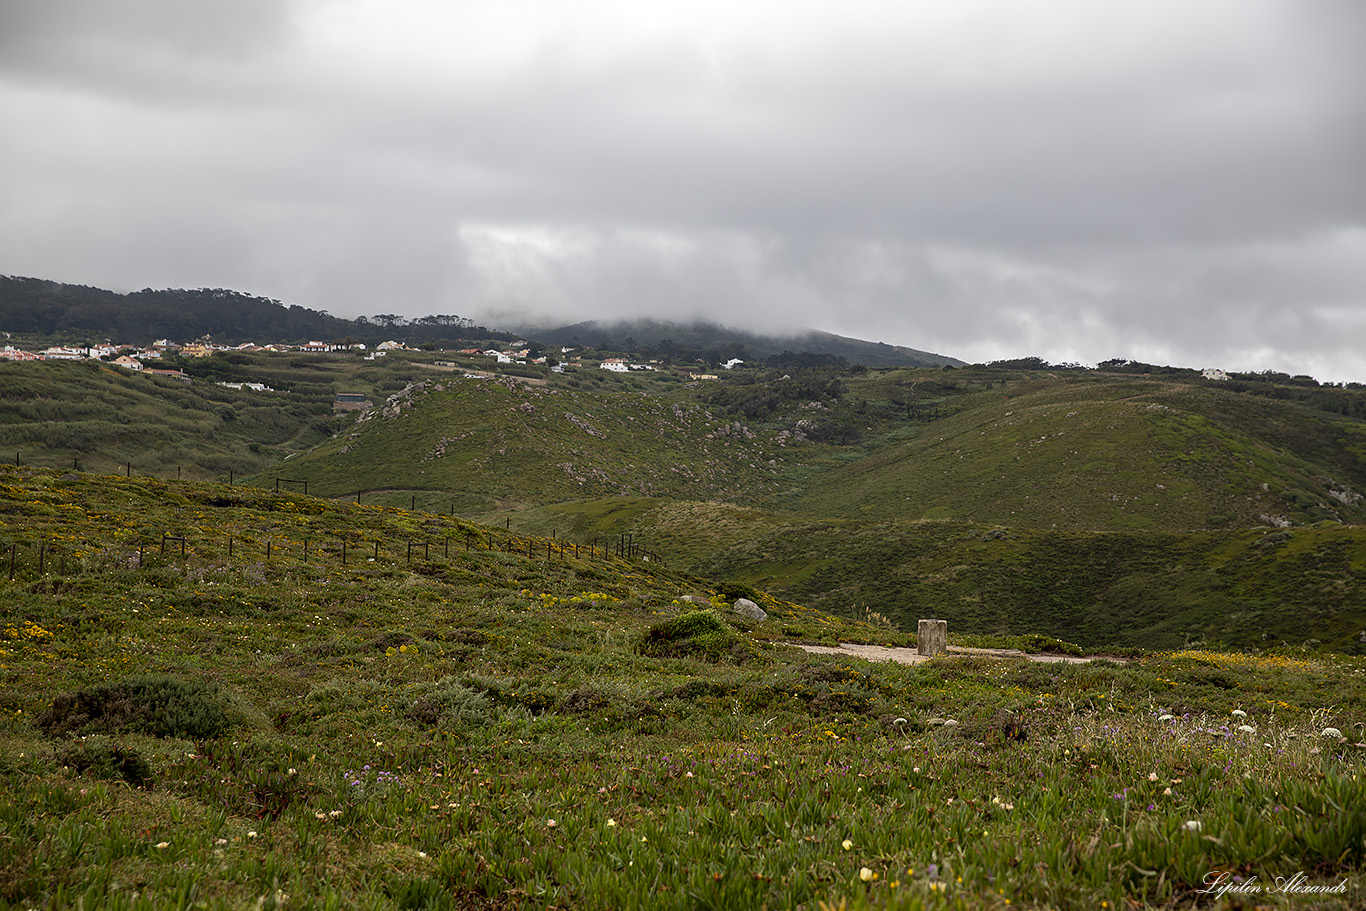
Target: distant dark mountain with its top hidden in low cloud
712,342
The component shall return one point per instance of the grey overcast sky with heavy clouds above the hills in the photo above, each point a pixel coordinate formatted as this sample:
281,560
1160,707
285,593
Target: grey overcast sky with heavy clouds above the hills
1173,181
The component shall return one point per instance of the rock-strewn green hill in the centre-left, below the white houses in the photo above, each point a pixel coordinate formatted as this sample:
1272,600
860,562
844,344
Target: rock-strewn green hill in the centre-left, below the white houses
480,445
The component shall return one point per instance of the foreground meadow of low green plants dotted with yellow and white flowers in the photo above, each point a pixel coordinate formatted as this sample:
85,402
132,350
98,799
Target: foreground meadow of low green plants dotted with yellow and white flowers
465,718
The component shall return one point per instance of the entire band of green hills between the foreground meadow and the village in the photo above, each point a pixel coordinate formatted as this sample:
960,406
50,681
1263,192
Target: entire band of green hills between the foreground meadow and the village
1110,509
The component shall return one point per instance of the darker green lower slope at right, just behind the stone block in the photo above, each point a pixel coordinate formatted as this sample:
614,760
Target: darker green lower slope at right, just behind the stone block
1156,591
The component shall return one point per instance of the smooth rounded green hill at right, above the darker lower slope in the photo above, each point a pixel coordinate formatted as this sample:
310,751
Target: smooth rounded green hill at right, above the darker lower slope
1106,454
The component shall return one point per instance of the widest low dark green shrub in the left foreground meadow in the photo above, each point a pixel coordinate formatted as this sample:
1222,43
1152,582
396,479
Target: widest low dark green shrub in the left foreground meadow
156,705
